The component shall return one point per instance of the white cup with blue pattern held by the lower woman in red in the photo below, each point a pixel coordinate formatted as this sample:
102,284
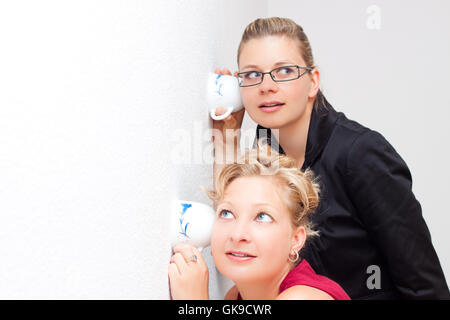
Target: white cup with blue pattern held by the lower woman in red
191,222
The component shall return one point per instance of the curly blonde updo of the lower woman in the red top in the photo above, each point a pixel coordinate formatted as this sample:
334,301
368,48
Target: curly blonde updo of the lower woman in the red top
299,190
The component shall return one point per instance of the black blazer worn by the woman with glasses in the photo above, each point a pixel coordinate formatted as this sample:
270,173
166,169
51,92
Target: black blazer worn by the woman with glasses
373,239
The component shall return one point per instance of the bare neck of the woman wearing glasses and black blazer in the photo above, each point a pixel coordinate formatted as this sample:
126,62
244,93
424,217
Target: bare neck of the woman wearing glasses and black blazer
293,136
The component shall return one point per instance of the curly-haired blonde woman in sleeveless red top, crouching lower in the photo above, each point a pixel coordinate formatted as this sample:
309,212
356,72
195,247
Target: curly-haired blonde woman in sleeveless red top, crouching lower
263,204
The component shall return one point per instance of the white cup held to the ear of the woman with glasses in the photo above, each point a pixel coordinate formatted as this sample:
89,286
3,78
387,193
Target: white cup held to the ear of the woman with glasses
223,91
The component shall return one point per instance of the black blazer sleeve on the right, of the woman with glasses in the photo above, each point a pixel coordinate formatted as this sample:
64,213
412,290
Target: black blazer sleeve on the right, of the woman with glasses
380,185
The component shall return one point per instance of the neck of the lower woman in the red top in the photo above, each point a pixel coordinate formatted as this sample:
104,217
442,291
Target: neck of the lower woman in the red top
262,289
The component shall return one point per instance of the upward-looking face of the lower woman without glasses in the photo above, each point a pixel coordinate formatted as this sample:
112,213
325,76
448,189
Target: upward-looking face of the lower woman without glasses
253,233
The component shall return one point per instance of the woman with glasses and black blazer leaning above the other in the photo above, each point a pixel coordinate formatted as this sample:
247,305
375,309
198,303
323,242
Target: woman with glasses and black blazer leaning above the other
373,239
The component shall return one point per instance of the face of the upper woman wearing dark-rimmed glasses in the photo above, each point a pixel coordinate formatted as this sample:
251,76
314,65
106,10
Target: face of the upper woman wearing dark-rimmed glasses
265,54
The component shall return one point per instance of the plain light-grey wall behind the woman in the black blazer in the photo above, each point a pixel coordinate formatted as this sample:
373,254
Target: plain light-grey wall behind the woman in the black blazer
394,80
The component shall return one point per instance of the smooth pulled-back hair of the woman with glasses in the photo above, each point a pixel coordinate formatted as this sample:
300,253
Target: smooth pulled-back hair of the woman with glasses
276,26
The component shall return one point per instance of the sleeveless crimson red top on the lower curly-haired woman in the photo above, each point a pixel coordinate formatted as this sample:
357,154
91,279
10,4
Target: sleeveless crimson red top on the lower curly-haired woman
304,275
